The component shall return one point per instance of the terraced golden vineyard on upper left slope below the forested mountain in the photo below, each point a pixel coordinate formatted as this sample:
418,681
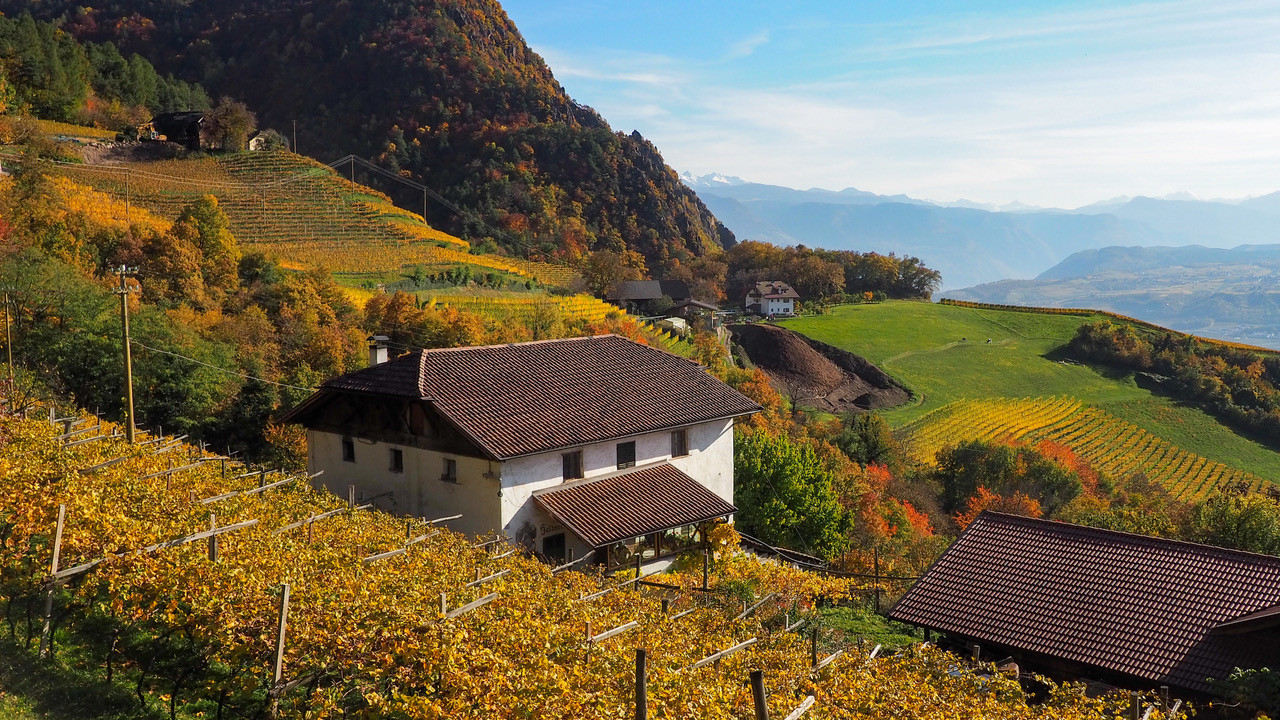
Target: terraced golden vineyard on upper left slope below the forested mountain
301,212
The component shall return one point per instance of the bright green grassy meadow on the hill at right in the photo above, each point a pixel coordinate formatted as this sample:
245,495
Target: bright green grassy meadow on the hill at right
952,354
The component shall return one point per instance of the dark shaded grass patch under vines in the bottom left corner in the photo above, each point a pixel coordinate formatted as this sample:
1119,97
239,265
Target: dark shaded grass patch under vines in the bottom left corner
60,691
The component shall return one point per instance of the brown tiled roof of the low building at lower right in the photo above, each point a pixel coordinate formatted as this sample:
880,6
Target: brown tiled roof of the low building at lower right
1127,604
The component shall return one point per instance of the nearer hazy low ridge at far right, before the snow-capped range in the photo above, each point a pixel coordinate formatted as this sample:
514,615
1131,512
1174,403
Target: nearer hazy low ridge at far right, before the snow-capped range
1226,294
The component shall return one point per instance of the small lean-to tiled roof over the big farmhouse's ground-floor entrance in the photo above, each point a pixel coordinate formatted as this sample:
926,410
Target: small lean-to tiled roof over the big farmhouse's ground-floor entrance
632,504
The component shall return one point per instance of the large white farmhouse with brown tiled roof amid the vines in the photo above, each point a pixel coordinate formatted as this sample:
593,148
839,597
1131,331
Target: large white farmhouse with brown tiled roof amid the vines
570,446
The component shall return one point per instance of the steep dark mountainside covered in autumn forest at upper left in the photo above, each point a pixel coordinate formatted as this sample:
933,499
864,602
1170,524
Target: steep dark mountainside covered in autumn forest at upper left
444,92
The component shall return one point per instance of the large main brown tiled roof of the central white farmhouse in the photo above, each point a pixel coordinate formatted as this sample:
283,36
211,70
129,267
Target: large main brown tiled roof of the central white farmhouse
529,398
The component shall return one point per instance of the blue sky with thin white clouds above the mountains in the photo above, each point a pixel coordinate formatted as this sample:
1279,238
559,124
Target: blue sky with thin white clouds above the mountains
1057,104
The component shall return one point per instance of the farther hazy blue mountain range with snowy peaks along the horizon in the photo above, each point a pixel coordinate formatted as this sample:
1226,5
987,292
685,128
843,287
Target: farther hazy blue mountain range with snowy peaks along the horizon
973,244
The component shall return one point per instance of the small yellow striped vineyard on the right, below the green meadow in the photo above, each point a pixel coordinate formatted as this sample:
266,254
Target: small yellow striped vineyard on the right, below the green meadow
1112,445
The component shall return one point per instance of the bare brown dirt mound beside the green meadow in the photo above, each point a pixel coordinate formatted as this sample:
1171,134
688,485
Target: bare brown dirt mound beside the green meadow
816,375
